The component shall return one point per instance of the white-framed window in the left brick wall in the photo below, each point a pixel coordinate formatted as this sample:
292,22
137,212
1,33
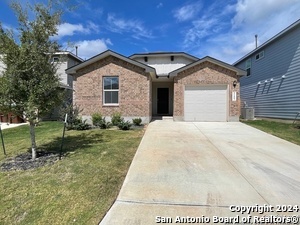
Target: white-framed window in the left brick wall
111,90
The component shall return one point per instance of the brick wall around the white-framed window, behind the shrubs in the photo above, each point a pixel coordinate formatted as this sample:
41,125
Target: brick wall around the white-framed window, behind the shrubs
134,88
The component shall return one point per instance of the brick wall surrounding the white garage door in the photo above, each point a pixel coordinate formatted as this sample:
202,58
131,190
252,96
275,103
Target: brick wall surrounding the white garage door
204,74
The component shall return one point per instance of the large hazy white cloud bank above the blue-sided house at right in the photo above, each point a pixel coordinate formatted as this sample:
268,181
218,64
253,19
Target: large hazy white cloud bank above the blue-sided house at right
229,34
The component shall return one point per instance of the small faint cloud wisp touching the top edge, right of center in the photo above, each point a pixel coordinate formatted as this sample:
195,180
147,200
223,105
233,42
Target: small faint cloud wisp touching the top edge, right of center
187,12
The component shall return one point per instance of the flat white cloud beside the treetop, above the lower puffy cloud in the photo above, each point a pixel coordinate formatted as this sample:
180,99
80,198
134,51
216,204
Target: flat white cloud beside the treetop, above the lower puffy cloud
68,29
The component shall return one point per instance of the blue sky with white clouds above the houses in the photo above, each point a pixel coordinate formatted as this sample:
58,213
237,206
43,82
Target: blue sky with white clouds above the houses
222,29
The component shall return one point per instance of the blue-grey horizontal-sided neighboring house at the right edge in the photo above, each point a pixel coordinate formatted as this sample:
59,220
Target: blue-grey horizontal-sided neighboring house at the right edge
272,83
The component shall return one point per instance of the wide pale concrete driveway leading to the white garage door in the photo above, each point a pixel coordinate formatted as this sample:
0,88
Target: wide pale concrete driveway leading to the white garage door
193,170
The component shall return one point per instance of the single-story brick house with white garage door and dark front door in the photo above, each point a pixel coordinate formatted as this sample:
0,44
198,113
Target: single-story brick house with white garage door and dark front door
171,84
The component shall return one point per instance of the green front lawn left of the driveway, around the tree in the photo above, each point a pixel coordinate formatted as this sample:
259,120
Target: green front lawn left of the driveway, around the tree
79,189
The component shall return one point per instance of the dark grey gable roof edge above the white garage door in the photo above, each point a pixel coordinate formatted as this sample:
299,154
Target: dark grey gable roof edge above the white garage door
239,72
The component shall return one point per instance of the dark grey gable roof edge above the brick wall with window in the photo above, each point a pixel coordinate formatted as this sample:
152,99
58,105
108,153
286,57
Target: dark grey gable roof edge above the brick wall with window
103,55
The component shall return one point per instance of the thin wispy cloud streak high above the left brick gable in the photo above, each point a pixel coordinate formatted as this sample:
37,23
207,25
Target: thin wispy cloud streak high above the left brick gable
135,27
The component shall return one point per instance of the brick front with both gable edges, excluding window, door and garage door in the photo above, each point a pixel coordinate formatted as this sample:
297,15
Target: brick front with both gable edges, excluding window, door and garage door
136,89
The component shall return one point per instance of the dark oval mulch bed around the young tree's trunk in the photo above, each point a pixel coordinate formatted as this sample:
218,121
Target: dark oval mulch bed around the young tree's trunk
24,162
